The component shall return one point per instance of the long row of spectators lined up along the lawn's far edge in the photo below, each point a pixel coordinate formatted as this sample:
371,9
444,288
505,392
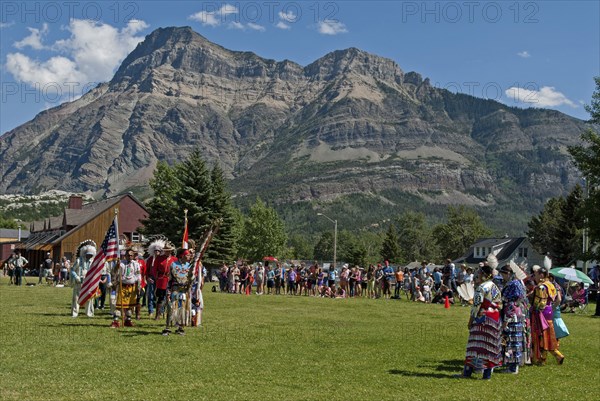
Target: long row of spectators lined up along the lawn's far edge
426,283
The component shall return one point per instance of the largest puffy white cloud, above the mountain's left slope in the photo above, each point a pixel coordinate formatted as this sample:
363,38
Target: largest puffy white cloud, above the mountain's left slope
91,54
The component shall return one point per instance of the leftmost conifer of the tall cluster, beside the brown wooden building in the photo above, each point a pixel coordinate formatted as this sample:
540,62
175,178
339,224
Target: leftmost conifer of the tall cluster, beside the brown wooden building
163,206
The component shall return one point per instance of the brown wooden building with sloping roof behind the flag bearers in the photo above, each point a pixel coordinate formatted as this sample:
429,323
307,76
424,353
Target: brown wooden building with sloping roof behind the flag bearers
60,236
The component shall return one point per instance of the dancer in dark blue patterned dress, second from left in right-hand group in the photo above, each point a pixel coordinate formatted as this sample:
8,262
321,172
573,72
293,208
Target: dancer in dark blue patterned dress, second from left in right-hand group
514,309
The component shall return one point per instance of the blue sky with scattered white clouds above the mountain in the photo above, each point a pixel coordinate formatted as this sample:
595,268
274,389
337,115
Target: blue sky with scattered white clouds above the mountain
525,54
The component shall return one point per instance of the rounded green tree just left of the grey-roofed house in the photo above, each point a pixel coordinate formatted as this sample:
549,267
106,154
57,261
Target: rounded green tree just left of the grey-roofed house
463,227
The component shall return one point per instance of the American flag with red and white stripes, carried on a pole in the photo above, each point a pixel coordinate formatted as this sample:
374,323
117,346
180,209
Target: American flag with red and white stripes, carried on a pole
108,252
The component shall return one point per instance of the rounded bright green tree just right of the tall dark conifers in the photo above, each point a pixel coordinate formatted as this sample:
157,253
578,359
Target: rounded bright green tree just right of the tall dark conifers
263,234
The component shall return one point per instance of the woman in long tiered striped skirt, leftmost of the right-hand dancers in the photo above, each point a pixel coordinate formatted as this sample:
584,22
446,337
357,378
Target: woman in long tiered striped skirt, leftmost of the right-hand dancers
484,348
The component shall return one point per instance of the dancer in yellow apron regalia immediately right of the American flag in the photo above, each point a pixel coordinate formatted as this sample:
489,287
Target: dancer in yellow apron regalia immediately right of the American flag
127,279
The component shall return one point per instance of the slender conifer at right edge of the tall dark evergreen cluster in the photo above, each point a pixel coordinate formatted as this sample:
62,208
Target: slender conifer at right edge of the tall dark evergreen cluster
224,243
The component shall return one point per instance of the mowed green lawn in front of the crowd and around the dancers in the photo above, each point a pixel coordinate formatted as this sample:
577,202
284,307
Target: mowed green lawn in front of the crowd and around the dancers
269,348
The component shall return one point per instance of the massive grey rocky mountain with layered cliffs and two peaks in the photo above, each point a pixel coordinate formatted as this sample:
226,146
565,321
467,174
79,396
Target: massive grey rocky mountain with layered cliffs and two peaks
351,124
